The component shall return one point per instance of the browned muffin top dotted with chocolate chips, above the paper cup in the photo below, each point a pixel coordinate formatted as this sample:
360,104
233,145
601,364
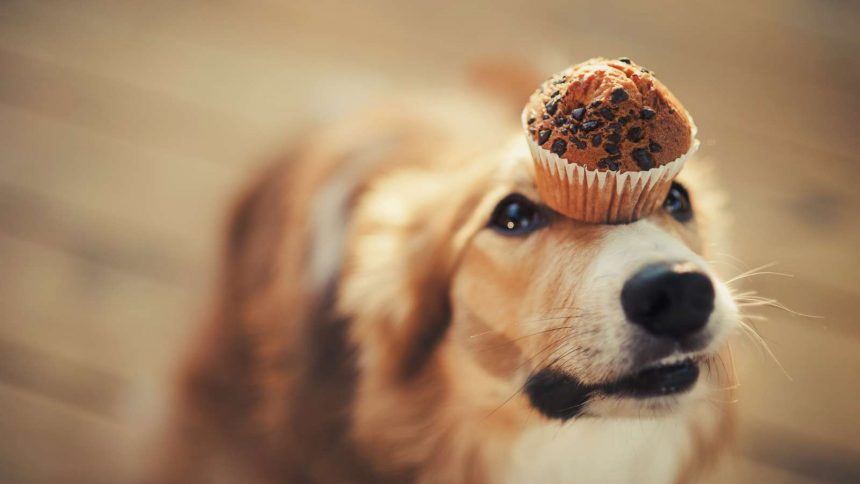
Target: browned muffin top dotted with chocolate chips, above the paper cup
608,115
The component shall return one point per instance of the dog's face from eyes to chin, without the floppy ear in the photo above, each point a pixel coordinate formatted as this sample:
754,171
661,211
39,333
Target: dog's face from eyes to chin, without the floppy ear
603,319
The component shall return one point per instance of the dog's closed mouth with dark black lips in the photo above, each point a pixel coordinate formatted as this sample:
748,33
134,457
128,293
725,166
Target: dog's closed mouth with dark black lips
559,395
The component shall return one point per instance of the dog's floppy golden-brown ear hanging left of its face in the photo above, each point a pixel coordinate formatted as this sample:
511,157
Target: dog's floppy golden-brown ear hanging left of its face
400,260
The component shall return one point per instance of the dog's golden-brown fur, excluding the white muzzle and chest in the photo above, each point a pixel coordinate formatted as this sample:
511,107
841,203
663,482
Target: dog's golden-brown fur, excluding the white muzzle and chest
404,366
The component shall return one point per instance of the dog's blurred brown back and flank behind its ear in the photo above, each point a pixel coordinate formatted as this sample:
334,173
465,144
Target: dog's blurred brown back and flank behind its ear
266,391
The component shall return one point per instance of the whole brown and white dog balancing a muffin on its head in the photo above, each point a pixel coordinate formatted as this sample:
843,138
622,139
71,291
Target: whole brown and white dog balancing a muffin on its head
397,305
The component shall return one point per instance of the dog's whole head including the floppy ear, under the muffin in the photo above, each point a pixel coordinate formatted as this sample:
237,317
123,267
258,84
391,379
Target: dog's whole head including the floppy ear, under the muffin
463,279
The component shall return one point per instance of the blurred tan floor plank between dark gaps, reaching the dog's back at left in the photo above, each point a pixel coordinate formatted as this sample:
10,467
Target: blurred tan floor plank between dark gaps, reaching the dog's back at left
86,183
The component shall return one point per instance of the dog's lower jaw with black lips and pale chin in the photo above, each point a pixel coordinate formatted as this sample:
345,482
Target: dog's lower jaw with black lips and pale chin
657,389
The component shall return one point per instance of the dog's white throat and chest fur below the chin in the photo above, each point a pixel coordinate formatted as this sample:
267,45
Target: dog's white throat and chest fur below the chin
618,450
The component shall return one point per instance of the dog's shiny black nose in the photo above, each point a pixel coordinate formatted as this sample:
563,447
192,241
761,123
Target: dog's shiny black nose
672,300
